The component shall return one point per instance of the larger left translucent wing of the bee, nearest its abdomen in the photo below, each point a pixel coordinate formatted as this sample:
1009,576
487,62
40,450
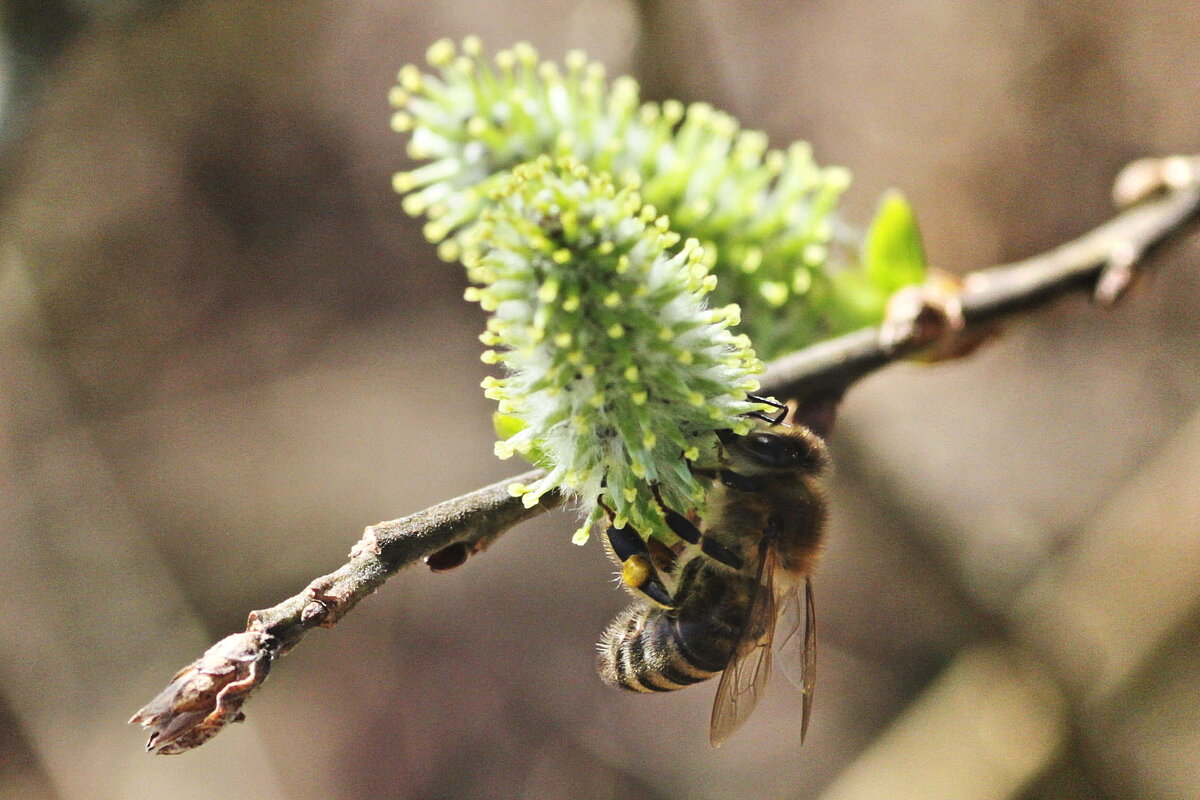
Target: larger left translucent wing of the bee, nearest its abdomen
746,677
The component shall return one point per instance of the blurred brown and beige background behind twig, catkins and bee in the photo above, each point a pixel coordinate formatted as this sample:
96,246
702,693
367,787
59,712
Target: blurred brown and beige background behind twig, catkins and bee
225,351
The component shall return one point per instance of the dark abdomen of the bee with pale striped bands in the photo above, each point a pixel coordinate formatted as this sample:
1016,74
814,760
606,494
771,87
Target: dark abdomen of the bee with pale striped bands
650,649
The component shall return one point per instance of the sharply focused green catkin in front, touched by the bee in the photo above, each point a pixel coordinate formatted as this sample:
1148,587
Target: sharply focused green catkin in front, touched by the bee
583,288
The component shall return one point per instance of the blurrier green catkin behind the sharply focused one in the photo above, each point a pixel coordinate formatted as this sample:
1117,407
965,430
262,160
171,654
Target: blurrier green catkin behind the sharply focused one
766,218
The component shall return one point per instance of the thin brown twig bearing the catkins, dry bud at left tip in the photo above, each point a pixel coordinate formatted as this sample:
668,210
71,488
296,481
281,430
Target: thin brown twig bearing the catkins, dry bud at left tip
945,320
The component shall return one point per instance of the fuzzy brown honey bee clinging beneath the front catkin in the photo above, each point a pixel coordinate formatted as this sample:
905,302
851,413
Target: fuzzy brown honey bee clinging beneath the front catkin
757,549
